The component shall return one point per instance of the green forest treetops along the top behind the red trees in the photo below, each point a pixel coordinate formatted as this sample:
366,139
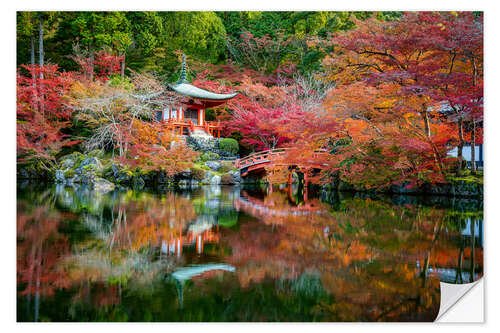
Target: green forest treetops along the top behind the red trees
149,39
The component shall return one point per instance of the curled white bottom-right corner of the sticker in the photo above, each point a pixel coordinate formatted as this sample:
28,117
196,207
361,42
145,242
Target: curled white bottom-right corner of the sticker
461,303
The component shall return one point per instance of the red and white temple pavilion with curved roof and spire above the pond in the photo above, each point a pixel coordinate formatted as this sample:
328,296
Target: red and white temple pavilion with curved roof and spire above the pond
188,117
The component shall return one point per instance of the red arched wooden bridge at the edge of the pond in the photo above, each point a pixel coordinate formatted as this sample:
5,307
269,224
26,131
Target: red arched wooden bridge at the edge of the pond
258,162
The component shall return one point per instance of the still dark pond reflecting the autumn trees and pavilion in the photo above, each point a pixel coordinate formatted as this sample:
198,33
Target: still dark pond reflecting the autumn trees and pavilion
239,254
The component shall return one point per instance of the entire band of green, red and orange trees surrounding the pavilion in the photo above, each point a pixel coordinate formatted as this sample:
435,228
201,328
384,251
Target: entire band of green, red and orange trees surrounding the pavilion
386,94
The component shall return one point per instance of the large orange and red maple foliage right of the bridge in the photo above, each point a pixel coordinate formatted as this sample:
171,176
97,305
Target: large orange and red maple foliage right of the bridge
402,86
